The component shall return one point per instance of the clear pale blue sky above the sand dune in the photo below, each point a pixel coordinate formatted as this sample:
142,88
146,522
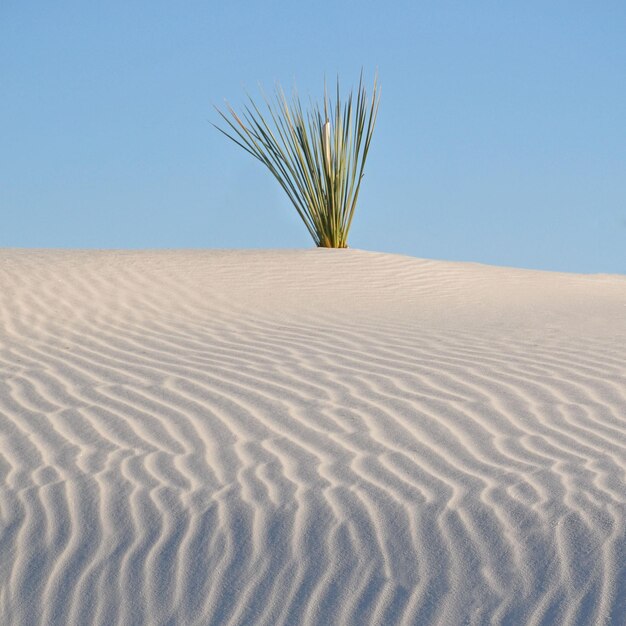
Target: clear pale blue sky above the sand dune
501,135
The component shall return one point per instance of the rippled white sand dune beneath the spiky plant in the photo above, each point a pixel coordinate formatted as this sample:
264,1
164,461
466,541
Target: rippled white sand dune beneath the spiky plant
309,437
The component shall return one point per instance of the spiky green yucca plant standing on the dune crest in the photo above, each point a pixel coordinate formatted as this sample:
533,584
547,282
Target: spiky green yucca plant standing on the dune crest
318,157
